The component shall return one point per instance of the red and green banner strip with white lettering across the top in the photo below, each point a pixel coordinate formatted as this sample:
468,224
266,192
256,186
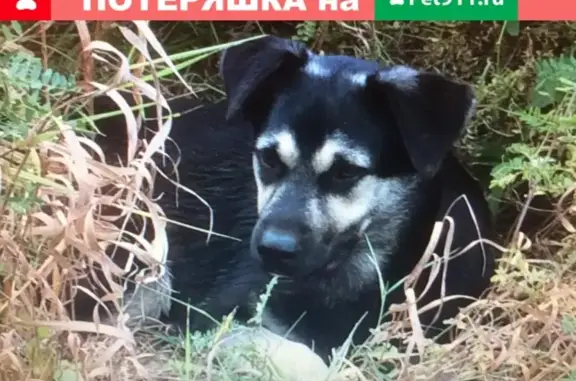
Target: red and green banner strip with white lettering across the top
287,10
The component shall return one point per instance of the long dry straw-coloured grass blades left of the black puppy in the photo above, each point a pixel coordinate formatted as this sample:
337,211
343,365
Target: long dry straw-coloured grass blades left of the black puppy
46,249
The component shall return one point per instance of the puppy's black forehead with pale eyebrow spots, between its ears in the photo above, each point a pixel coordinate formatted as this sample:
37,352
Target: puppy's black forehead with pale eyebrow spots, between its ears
323,113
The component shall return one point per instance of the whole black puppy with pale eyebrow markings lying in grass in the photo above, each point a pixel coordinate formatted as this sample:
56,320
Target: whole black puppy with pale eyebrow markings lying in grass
332,171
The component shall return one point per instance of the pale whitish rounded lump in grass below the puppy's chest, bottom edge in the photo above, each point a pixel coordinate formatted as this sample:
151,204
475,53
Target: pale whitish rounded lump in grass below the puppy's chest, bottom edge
270,355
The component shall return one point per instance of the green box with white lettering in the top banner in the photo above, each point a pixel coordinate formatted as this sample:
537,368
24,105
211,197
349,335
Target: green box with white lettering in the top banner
447,10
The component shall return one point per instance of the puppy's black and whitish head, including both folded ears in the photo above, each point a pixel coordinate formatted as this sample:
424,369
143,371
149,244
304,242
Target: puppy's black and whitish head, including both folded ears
341,147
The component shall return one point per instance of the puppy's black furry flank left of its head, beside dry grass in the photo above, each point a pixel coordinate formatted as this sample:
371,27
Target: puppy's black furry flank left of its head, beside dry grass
221,275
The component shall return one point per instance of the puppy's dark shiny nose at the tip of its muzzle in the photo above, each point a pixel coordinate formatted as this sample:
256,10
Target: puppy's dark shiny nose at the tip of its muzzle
278,249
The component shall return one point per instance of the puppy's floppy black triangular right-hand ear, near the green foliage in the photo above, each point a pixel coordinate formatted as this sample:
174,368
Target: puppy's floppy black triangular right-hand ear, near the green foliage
430,110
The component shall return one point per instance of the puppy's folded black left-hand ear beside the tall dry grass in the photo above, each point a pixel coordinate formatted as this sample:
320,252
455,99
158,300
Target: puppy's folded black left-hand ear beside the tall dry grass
253,71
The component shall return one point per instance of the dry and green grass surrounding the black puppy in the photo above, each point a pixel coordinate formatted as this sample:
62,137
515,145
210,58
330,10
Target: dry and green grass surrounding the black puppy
55,196
